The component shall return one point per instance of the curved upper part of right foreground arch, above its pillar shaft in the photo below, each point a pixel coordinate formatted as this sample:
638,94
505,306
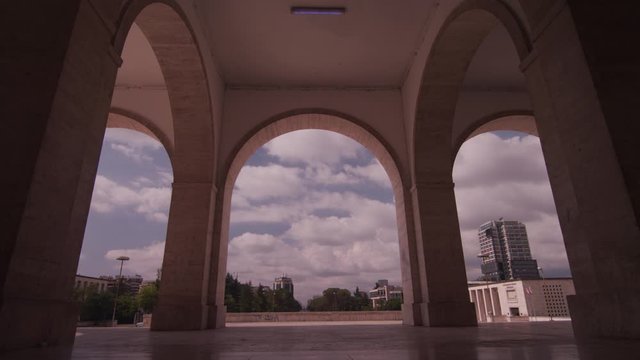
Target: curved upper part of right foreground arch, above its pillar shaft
454,47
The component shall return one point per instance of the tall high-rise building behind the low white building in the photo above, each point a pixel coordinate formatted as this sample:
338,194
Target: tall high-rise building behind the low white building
505,252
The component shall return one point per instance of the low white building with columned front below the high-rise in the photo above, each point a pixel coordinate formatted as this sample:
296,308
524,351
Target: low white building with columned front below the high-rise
522,300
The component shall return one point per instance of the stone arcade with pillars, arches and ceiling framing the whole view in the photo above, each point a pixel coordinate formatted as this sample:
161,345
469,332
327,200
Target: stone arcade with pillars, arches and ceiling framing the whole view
214,80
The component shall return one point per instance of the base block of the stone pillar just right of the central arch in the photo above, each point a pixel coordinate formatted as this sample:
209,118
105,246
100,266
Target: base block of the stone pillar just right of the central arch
448,313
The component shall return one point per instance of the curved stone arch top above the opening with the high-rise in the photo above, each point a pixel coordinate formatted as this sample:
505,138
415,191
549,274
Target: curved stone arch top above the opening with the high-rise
522,121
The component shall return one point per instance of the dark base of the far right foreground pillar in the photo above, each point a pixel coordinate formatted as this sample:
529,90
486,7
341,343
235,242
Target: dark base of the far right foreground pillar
615,314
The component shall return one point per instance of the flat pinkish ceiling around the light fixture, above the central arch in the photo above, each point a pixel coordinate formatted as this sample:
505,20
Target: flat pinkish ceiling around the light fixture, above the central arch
260,43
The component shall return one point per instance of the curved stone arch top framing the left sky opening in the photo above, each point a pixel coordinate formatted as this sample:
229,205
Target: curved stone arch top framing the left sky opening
126,119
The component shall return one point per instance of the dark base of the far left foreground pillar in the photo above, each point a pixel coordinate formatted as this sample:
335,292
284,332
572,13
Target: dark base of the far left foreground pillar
27,323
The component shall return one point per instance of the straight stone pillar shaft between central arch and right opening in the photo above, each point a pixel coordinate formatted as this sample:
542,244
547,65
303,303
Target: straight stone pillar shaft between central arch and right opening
444,283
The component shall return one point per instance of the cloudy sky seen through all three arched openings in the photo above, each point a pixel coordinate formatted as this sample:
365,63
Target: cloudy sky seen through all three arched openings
316,206
